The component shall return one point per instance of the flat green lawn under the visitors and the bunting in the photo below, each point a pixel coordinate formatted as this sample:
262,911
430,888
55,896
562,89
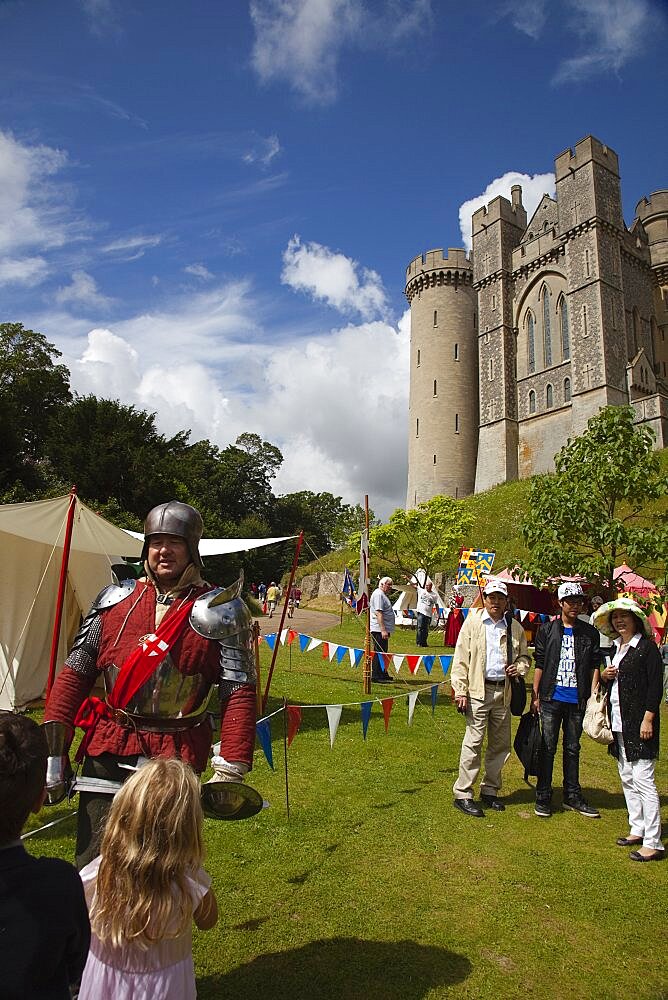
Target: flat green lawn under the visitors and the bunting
377,888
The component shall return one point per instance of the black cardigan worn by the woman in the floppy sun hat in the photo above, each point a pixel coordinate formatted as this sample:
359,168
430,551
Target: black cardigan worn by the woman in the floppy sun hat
640,680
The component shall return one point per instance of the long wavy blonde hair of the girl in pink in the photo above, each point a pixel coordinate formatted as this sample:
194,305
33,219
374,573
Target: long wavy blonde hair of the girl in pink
152,839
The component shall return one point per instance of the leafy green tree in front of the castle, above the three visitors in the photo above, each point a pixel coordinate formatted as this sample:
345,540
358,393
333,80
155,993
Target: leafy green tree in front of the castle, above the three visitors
593,512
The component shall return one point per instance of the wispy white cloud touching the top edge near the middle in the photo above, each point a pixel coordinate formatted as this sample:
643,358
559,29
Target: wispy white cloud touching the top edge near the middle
302,41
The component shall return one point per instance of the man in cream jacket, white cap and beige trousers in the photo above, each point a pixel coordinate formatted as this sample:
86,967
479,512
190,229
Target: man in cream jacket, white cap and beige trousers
481,672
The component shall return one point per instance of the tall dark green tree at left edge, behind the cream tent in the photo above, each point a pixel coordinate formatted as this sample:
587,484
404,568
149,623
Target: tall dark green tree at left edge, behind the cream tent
33,389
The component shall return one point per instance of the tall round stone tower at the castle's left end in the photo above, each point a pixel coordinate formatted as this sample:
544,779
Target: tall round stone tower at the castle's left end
443,401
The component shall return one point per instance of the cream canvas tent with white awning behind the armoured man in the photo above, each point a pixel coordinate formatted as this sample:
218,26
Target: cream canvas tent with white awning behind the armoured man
31,548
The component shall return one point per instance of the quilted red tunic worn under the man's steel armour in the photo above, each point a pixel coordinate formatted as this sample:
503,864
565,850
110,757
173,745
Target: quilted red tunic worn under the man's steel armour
123,625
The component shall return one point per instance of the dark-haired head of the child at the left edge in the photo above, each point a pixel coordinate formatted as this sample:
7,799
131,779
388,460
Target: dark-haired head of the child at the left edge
23,754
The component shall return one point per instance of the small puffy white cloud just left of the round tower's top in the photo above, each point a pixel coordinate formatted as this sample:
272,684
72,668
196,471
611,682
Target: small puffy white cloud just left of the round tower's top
333,278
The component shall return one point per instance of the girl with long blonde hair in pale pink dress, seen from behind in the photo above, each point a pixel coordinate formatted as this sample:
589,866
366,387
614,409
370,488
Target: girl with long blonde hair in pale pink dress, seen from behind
146,888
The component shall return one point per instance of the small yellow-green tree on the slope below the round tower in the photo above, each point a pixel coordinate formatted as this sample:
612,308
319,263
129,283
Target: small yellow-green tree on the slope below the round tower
428,537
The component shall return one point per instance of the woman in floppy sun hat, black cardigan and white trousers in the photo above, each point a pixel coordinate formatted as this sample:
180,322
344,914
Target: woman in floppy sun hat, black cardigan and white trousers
634,681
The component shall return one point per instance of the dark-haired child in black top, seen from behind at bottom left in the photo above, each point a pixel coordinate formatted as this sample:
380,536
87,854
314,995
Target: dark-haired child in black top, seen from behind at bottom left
44,928
